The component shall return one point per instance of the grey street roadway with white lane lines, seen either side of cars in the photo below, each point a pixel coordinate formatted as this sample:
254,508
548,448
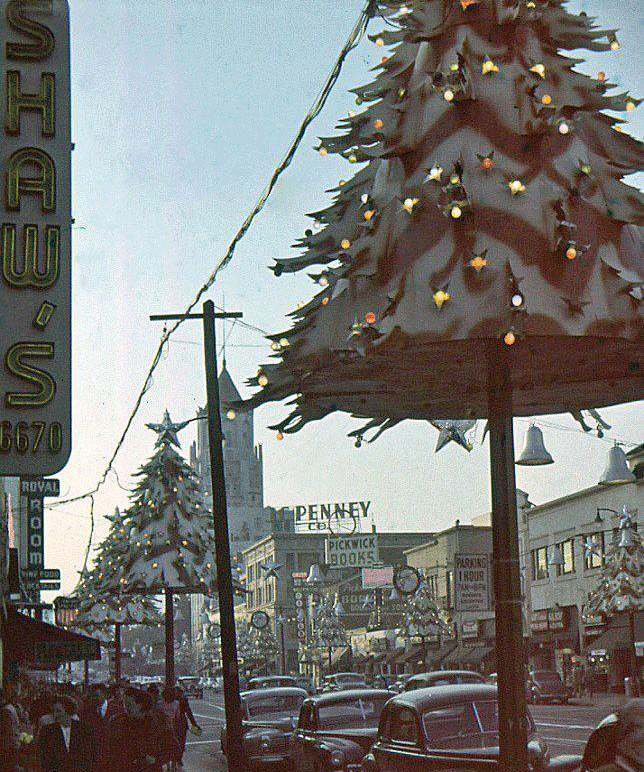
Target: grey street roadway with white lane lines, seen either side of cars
564,727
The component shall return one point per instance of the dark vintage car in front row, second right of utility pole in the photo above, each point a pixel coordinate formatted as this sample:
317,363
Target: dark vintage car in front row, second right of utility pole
335,730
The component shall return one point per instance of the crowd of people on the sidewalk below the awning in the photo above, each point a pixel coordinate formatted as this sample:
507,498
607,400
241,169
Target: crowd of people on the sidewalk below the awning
97,728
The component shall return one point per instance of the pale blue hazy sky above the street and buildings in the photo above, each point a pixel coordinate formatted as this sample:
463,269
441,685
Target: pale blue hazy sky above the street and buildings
181,110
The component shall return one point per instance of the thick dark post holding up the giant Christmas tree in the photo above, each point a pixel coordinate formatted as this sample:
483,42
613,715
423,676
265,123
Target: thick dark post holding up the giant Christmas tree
507,581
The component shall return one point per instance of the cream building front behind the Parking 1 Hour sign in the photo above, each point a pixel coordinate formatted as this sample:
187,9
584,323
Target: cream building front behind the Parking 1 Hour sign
469,640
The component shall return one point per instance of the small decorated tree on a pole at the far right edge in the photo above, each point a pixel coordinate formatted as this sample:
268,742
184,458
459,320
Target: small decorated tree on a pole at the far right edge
621,587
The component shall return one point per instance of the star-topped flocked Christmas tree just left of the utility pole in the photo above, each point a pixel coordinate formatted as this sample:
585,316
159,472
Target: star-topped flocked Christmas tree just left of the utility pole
171,539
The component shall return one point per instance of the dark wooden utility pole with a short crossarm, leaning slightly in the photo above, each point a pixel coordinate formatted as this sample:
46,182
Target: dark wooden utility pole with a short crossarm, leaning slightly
230,665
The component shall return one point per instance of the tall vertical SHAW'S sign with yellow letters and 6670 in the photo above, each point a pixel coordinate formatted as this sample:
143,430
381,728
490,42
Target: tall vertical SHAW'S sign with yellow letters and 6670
35,238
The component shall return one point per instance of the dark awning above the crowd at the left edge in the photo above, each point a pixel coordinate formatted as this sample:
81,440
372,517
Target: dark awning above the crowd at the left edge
30,641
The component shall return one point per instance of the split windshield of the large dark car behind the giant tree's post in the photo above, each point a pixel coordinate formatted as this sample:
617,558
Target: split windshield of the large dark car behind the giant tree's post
472,724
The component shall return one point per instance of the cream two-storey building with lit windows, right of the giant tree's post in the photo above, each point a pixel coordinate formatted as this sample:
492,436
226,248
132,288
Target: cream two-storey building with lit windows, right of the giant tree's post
559,573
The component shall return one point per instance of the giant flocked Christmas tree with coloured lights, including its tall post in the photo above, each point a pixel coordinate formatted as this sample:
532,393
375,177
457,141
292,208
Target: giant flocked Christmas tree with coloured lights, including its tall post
481,263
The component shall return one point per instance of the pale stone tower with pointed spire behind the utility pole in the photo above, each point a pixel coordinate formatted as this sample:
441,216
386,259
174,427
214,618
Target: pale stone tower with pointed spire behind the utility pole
243,468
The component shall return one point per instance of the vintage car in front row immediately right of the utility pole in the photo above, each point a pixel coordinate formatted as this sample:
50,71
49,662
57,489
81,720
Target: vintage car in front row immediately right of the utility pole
269,717
